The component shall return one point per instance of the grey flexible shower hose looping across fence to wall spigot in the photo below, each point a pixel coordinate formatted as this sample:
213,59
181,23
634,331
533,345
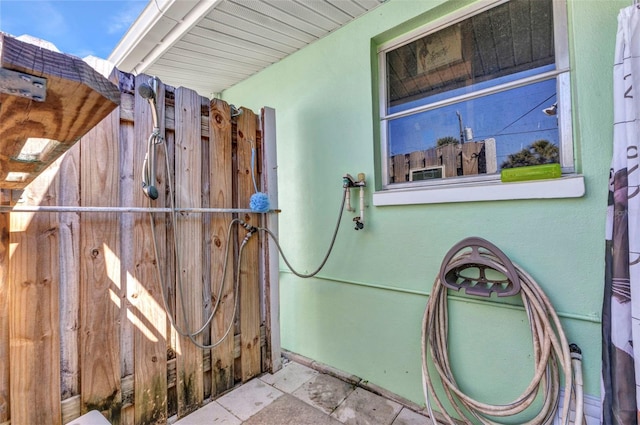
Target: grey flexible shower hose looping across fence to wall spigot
187,330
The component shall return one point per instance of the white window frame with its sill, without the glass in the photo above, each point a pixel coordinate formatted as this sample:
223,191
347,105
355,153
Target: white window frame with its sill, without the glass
483,187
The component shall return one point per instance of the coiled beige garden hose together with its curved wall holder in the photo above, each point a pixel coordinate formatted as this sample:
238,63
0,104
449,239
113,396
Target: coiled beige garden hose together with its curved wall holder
551,352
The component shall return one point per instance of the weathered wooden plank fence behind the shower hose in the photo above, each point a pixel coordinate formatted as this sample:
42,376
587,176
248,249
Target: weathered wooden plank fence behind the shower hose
82,319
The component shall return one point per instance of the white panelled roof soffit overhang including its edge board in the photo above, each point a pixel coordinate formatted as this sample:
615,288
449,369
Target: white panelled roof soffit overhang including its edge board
210,45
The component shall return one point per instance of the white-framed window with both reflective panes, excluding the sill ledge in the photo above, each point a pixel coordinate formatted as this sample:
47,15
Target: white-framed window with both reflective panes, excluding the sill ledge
484,90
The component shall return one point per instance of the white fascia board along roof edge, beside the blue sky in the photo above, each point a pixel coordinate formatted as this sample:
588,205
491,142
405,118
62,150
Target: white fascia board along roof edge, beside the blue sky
156,30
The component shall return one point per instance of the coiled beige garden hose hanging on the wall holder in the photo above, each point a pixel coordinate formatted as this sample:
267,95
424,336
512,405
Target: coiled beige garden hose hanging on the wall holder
552,354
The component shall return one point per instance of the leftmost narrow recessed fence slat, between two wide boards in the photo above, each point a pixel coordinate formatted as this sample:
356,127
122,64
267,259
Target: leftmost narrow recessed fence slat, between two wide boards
70,275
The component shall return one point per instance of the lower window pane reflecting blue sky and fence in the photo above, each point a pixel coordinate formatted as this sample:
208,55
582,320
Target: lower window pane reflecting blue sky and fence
477,136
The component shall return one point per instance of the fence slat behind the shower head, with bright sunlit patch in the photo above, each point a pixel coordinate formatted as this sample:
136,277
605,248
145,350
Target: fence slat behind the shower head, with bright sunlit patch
143,291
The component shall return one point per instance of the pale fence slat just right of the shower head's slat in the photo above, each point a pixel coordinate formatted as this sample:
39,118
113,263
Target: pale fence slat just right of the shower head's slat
189,249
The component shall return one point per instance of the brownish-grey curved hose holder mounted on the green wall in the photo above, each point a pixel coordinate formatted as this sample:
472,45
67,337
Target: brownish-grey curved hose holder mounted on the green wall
455,271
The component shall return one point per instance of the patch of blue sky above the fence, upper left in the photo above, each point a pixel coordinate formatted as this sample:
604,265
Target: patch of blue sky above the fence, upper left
77,27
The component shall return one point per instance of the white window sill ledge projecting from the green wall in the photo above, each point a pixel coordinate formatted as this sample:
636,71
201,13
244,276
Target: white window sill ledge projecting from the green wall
564,187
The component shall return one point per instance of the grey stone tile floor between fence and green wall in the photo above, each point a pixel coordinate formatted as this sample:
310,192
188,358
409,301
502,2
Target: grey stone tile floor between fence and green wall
300,395
